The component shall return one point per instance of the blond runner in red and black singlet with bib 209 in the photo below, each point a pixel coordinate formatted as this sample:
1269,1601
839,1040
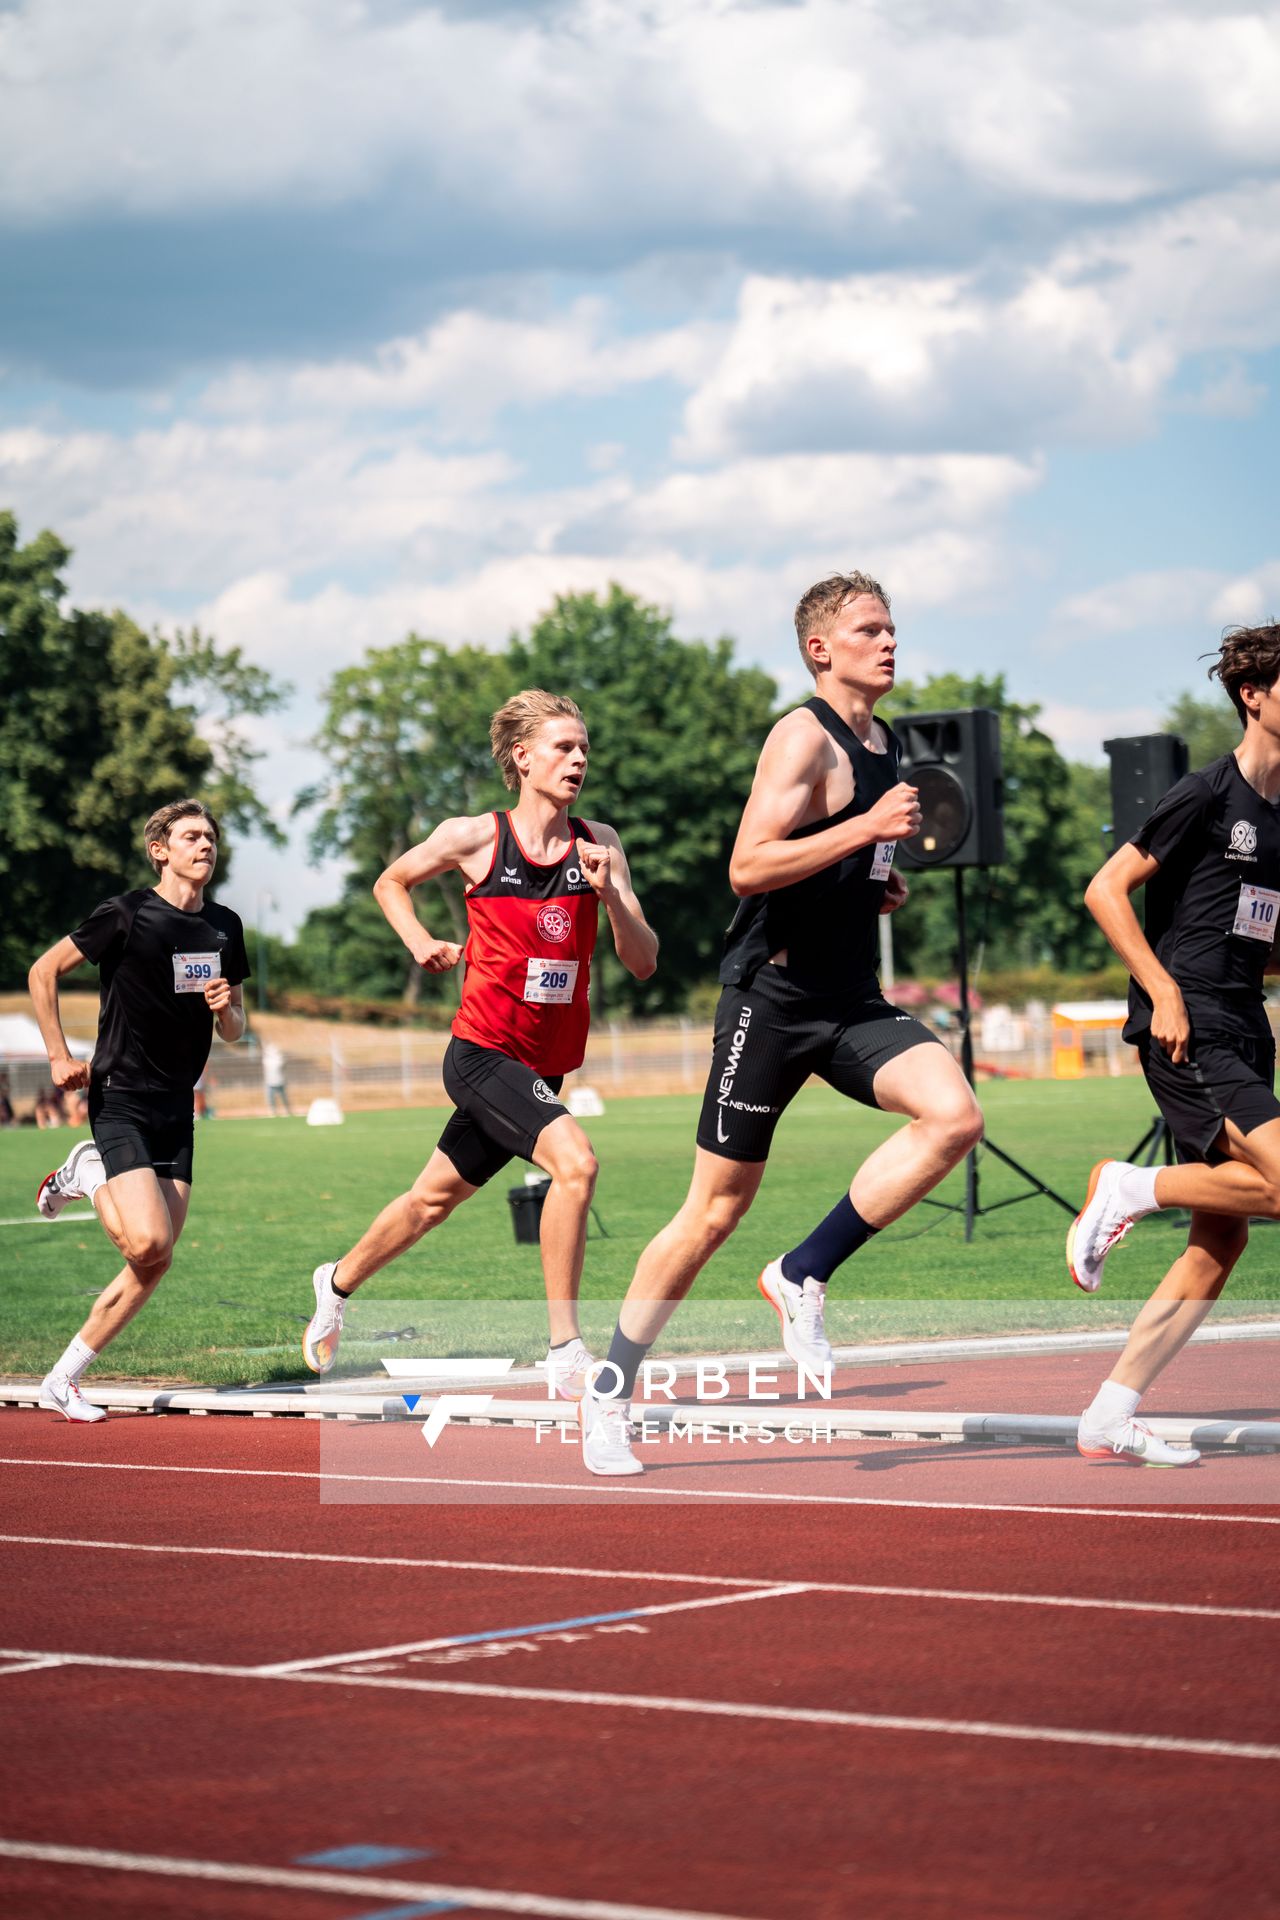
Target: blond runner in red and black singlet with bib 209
536,880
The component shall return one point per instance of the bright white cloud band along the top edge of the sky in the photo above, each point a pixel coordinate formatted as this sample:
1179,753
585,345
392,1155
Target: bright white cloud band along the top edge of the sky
619,118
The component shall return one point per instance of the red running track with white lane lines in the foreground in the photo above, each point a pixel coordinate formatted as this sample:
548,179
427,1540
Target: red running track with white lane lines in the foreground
1068,1710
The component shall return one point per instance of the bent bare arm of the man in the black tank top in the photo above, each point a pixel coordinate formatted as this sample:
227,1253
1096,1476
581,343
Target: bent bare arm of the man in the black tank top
790,769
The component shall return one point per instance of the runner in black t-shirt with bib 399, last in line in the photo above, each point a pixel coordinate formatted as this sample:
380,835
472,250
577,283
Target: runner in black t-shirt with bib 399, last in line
172,967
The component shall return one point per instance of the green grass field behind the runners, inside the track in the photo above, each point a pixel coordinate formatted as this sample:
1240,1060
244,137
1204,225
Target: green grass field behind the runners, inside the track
273,1199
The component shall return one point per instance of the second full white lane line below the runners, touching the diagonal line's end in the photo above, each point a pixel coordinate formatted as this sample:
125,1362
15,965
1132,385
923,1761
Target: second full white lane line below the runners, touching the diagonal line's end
861,1589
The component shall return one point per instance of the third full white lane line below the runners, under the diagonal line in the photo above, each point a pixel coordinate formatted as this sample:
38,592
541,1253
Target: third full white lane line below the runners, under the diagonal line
717,1710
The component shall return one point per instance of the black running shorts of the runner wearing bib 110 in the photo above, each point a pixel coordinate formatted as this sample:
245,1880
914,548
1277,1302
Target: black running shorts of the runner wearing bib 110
1227,1078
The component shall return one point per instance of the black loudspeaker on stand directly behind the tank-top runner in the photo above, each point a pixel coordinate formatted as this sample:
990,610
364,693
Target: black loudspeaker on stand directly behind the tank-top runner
955,763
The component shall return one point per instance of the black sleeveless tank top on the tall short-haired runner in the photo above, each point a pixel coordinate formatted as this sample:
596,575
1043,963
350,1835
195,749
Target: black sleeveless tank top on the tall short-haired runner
830,923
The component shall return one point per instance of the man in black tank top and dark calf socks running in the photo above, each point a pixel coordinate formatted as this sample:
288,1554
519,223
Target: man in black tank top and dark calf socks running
815,873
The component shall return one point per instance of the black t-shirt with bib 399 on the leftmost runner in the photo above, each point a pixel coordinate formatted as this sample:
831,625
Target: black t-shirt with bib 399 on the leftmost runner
156,1028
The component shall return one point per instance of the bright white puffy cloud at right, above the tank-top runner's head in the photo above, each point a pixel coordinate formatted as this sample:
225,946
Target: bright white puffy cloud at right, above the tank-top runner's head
1083,347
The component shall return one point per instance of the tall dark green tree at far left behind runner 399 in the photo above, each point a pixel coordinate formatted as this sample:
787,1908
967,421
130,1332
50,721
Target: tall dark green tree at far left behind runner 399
93,738
